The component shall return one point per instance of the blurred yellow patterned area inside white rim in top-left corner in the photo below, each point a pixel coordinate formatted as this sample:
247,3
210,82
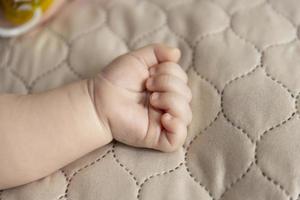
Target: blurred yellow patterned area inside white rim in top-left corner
20,11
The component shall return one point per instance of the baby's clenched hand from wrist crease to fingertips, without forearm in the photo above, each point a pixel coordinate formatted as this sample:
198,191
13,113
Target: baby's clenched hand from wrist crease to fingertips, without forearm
143,98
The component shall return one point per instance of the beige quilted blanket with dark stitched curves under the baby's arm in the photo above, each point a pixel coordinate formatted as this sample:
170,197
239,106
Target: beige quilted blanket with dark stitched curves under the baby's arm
243,61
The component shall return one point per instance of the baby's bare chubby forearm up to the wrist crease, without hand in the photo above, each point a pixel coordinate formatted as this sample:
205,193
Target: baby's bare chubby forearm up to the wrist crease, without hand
41,133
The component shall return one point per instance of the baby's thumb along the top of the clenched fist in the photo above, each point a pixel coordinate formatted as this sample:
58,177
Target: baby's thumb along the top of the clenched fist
156,53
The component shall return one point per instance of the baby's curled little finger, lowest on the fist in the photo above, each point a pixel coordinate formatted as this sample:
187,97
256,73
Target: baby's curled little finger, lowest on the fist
175,132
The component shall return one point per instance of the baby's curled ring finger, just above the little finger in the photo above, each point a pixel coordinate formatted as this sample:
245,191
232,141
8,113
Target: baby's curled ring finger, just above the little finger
172,103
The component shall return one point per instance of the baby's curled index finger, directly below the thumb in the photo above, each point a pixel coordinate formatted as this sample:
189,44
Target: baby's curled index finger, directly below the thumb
170,68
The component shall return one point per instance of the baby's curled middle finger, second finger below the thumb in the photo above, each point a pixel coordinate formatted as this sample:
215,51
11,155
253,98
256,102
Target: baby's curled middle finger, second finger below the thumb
168,83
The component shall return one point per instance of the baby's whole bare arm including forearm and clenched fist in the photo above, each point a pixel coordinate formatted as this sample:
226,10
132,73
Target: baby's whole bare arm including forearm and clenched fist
141,99
